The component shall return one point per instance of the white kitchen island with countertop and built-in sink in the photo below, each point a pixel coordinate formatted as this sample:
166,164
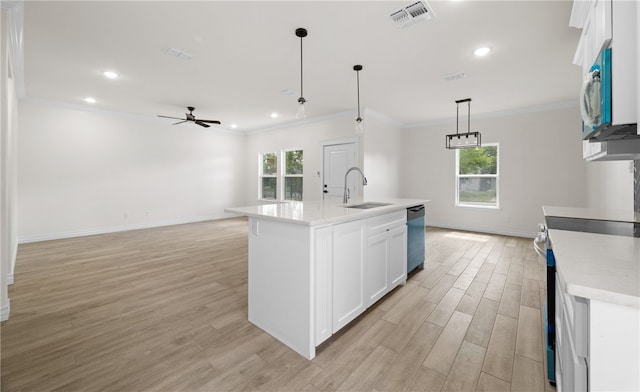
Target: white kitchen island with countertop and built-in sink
315,266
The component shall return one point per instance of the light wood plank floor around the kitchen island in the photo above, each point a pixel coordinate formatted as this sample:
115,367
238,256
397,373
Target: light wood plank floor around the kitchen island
165,309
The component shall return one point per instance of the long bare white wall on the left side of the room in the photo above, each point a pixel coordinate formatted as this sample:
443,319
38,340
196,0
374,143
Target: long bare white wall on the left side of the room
83,172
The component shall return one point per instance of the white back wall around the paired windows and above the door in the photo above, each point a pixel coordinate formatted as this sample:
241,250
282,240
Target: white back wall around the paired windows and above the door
307,136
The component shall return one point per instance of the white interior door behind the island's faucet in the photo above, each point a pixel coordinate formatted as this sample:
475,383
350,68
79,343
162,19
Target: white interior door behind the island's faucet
338,158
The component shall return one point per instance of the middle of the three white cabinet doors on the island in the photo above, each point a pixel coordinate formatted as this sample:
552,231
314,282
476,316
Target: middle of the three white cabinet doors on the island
377,279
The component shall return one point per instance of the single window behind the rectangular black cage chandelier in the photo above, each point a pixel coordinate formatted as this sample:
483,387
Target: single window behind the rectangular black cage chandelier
477,176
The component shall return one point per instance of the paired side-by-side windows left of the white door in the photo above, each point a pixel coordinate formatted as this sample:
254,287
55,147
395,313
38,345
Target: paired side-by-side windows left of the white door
281,182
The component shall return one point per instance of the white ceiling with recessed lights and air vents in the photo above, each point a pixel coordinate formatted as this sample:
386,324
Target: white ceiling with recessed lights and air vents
245,55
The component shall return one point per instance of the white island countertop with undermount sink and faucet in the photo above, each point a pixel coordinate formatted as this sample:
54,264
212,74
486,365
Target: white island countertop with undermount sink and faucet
321,212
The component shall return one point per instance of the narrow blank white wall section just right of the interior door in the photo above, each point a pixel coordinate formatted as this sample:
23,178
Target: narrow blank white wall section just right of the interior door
382,157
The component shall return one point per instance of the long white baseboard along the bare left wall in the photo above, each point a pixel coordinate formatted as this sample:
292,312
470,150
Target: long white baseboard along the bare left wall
115,229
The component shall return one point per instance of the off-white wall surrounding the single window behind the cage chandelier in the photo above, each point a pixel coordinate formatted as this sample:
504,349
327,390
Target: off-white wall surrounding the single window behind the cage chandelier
540,163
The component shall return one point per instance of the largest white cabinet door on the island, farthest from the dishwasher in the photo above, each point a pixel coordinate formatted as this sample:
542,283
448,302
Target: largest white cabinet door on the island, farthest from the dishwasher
348,272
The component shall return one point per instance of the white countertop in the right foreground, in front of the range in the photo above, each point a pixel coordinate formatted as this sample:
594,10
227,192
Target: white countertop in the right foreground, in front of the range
598,266
